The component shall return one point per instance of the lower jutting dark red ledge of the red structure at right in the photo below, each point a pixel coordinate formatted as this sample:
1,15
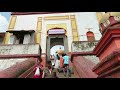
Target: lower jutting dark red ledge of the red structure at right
111,61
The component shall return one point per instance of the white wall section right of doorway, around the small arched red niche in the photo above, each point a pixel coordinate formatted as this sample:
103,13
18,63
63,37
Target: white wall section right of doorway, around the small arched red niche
87,20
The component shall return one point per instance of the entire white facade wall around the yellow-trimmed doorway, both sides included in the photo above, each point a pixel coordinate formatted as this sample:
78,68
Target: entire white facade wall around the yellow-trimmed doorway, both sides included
84,20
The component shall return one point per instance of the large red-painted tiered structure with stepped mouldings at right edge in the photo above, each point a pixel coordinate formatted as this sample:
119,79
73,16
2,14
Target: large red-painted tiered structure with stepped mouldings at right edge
108,51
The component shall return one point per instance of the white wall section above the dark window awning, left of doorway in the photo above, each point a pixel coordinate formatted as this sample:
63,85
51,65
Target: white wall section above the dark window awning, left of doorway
27,22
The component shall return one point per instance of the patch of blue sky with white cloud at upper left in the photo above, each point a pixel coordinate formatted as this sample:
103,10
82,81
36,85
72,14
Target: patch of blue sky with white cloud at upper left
4,19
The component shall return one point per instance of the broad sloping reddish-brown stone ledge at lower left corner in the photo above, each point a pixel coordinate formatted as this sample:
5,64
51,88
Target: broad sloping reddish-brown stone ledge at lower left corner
16,70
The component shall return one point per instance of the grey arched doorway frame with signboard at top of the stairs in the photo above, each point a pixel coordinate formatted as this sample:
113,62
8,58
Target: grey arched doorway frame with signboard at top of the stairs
56,36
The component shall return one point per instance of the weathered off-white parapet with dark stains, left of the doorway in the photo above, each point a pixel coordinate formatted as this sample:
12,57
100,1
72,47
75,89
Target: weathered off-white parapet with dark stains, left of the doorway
26,49
